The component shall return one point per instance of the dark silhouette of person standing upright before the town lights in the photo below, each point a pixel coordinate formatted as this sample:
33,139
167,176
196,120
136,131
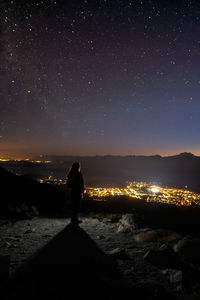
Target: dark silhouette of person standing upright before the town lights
75,185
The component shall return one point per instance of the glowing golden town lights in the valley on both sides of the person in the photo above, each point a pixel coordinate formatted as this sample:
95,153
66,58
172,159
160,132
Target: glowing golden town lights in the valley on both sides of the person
139,190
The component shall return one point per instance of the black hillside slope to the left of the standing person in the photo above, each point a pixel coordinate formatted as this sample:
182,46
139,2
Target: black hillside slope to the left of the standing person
23,196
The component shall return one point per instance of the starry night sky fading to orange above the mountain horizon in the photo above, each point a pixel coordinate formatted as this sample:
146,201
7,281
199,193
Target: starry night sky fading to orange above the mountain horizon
99,77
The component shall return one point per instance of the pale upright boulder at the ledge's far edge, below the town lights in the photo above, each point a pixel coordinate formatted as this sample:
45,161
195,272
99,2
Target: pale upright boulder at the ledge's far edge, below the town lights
127,223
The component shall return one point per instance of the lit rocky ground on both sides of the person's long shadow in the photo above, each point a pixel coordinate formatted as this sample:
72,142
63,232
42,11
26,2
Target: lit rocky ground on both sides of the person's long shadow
144,256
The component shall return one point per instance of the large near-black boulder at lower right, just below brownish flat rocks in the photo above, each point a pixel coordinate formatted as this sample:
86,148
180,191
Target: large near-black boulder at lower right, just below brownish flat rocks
165,259
